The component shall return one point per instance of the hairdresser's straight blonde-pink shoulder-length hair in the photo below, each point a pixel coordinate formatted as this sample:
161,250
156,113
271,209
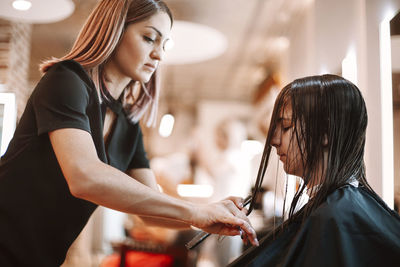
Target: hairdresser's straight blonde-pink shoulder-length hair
96,42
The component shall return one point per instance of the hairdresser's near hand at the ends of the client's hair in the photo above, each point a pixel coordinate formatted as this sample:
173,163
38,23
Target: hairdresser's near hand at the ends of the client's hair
224,218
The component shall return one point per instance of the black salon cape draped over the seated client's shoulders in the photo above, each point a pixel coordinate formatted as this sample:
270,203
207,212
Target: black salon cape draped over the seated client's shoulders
352,228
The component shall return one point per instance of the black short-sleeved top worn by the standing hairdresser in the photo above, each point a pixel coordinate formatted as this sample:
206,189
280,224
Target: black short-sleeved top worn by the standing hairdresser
39,218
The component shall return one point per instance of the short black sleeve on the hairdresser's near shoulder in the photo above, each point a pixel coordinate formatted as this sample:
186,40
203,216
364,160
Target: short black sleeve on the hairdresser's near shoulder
60,101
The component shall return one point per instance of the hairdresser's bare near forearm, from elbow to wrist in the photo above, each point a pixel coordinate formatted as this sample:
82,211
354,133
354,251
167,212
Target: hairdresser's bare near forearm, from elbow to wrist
107,186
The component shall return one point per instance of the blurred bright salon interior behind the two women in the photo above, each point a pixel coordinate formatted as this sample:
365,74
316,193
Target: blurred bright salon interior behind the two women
219,82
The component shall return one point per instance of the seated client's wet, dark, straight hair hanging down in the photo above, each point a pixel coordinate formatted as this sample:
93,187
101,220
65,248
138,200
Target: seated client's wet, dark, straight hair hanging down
328,114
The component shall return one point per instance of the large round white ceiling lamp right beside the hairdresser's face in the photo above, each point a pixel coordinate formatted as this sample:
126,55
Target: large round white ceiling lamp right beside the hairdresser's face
194,43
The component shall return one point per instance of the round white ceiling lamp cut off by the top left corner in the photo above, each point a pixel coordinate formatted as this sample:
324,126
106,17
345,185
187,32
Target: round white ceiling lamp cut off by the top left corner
36,11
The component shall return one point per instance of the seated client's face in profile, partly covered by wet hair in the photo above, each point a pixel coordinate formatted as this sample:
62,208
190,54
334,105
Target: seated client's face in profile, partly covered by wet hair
285,142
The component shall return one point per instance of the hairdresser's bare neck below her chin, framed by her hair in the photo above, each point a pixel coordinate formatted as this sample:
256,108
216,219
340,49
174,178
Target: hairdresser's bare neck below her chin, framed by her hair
115,80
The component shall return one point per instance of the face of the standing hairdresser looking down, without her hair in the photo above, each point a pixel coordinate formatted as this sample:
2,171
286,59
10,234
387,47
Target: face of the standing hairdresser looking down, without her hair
142,47
